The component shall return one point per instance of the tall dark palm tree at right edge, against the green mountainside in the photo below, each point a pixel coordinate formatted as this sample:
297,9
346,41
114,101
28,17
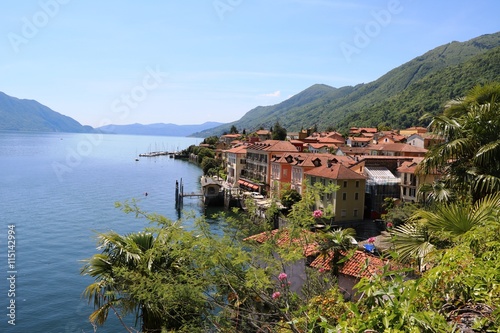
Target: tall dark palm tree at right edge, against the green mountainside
470,156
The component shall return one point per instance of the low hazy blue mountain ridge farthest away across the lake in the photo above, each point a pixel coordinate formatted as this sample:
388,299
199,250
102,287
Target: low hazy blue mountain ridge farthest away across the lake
158,129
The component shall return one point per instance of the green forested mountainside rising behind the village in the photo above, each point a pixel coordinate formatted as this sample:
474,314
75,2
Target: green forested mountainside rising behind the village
397,99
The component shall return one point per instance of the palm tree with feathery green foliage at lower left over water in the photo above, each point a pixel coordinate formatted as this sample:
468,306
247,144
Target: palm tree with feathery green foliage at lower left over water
145,274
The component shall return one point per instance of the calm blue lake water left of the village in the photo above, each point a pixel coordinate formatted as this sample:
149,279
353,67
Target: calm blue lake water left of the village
57,190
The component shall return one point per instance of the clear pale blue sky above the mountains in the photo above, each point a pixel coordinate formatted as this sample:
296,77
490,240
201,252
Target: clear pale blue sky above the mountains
188,62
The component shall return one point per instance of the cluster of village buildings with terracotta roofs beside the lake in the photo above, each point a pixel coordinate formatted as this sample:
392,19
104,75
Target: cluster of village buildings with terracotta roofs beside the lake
369,166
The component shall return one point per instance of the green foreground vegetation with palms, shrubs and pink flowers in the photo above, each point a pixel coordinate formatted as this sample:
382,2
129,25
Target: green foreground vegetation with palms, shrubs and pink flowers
442,274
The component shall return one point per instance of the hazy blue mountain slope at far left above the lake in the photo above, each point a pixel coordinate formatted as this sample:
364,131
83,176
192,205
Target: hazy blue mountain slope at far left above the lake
29,115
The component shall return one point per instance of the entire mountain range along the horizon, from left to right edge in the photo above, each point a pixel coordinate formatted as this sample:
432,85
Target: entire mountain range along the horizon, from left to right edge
397,100
